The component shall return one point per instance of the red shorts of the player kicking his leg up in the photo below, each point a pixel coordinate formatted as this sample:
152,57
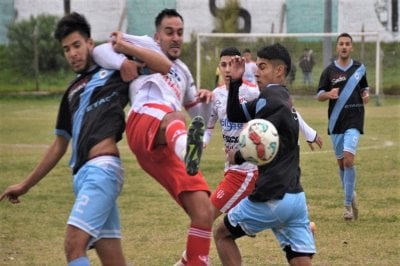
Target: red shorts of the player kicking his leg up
159,161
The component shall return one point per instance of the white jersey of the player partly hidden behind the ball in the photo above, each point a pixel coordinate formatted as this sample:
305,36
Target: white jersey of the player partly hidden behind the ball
230,130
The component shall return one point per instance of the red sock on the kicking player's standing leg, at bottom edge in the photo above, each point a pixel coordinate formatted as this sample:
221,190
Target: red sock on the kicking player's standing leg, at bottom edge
198,246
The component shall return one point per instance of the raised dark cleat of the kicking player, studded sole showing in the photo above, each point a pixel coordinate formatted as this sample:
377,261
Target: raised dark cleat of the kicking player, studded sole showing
194,145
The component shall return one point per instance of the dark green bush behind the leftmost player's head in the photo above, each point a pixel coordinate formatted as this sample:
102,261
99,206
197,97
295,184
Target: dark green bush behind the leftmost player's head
22,36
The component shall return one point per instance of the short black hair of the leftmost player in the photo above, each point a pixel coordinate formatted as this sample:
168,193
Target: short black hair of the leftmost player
71,23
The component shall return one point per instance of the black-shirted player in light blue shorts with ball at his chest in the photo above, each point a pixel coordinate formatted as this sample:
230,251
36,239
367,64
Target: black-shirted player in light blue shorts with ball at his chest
278,201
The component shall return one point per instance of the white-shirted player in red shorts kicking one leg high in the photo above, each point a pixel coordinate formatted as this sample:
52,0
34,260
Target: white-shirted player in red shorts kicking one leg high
157,133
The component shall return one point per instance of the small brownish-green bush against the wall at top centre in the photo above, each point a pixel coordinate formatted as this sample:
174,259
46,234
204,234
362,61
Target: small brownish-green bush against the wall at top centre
227,17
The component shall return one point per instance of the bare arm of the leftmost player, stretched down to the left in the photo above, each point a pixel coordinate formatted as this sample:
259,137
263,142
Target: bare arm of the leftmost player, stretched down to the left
54,153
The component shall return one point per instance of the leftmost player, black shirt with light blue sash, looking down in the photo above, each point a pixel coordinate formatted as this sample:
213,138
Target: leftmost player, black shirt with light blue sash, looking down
91,115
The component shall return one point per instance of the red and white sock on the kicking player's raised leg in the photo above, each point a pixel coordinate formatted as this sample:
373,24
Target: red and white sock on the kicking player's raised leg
174,130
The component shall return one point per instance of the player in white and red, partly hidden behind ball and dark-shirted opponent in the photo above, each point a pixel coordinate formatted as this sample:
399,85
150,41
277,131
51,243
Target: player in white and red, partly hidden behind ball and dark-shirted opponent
239,179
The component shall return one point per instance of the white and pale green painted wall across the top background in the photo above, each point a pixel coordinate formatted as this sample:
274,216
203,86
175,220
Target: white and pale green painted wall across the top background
261,16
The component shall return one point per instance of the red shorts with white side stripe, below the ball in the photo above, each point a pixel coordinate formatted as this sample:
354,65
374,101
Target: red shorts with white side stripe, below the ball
235,186
